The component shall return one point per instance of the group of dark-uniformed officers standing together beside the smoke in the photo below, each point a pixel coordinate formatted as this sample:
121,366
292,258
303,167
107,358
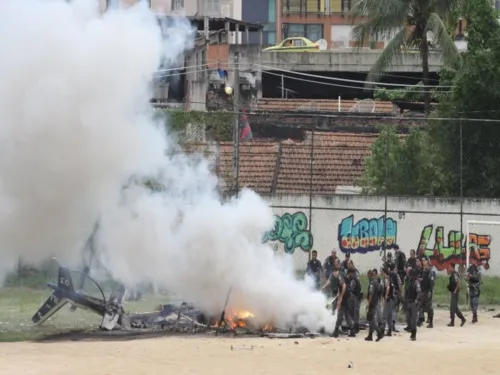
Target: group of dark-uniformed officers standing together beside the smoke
406,284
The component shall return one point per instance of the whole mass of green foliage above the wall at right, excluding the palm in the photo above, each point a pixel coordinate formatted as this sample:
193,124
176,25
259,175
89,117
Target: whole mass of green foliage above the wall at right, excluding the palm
450,157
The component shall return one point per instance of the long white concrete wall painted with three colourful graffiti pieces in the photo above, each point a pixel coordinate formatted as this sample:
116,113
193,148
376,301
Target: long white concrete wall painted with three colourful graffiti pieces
355,224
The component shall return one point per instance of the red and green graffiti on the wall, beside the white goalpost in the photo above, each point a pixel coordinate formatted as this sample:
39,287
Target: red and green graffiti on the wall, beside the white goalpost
452,249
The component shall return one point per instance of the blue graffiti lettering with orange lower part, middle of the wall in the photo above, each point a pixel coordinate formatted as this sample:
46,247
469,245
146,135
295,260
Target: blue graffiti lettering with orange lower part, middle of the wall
366,234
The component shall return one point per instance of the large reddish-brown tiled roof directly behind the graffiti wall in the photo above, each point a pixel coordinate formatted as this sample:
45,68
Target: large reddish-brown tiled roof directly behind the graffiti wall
266,166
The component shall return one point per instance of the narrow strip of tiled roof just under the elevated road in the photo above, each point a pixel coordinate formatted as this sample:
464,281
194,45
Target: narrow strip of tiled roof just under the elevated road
323,105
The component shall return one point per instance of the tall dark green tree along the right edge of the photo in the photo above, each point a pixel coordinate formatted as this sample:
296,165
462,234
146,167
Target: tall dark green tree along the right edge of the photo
473,98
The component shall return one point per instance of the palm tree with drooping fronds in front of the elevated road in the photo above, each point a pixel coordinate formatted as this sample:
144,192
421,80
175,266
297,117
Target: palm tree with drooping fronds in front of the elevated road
412,22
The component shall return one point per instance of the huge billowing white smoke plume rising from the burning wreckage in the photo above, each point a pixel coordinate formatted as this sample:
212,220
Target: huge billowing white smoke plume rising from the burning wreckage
76,125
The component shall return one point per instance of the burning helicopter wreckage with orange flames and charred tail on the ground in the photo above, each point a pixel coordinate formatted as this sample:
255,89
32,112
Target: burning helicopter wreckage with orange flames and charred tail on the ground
182,317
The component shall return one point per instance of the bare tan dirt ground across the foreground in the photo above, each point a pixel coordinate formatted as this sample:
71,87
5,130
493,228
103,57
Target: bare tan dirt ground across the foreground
442,350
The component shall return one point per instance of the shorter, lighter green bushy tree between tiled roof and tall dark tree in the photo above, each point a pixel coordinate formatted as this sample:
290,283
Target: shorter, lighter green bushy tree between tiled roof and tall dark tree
402,165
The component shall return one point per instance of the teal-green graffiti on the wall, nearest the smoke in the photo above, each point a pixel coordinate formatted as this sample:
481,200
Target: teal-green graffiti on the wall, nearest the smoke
292,230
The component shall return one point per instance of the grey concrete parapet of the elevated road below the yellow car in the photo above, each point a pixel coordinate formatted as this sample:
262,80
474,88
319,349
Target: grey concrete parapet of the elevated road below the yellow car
348,60
